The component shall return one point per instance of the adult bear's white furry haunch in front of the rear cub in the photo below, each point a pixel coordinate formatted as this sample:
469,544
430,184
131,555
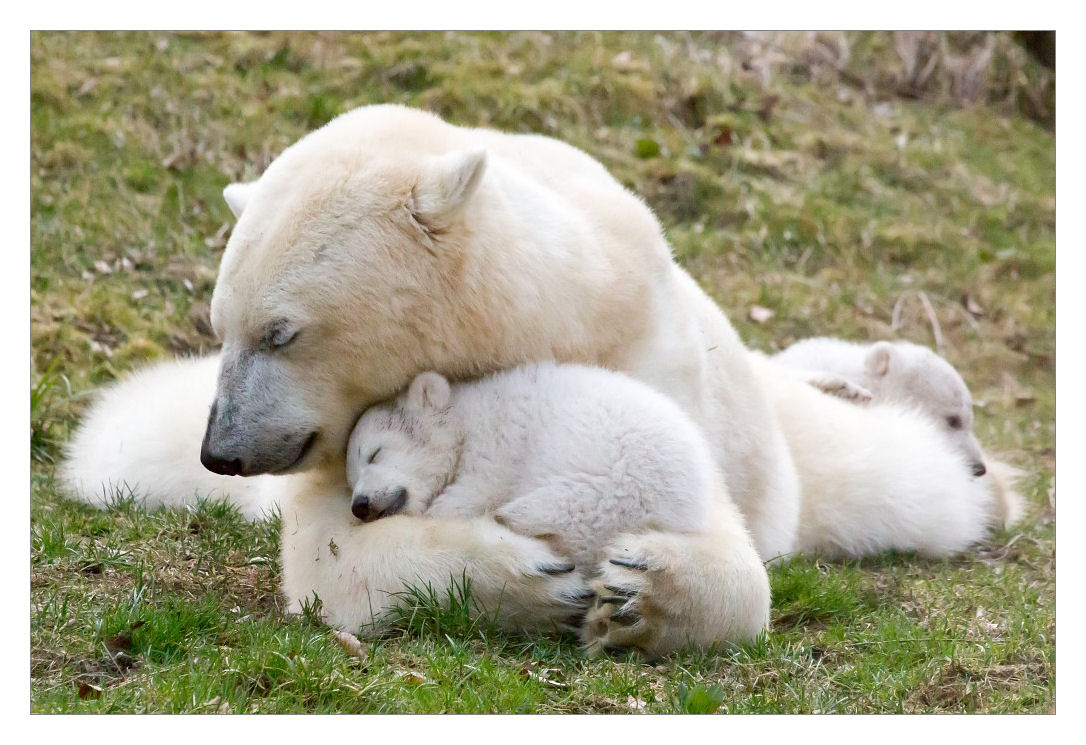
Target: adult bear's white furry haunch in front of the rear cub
876,478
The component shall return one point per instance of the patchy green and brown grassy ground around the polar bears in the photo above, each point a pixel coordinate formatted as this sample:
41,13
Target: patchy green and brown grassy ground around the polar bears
824,179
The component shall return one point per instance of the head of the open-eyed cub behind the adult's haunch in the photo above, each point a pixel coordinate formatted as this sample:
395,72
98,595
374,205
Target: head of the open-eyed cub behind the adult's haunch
914,374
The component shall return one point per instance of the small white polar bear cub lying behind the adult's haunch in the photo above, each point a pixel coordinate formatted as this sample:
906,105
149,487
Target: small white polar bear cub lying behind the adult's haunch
900,372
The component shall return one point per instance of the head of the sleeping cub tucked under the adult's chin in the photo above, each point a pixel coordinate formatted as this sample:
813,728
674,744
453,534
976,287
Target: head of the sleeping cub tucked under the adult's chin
403,454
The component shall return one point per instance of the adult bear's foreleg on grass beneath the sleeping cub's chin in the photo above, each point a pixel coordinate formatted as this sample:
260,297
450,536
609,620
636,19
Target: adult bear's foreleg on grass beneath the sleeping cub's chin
359,571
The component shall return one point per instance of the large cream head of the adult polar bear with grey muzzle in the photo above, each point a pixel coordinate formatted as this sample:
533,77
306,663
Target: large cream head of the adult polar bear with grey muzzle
338,285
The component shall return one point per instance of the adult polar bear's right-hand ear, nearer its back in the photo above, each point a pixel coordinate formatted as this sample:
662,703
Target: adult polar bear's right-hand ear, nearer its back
447,184
